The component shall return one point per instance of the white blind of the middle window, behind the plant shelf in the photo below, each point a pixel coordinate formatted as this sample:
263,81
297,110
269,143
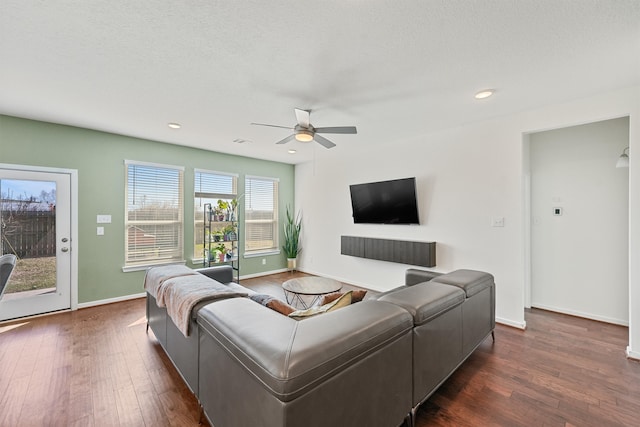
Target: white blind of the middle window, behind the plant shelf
209,187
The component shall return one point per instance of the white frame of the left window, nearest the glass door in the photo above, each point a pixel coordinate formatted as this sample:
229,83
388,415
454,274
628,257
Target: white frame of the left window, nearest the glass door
178,253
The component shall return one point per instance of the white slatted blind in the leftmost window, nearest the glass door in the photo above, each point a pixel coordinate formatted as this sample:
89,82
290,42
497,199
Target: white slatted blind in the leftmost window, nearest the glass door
154,217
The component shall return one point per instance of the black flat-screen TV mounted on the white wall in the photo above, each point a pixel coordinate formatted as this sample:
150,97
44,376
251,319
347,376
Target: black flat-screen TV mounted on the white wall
385,202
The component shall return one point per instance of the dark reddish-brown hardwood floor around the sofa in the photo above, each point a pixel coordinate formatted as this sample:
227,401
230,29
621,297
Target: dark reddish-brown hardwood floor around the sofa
98,367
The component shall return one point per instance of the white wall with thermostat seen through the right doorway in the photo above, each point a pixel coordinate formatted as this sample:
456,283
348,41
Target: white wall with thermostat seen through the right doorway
579,259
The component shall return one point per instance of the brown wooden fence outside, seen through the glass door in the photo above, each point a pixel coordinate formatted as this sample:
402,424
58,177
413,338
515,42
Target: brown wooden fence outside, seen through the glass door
29,234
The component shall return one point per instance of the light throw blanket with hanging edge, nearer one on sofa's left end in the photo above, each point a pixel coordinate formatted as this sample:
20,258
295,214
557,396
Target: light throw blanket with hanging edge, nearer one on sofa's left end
182,293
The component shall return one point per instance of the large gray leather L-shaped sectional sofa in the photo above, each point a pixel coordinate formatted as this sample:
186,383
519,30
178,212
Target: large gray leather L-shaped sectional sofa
371,363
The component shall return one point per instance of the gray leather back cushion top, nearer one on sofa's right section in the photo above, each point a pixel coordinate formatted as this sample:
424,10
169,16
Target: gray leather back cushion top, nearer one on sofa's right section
426,300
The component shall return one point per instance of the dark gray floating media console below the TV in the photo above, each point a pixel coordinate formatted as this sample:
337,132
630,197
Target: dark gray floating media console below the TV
400,251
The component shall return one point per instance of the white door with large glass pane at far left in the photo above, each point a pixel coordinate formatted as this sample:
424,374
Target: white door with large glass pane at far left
35,214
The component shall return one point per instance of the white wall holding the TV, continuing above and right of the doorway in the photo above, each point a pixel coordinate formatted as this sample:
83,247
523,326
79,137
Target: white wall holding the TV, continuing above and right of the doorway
465,176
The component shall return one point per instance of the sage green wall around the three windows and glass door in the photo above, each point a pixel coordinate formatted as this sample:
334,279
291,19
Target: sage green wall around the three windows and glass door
99,158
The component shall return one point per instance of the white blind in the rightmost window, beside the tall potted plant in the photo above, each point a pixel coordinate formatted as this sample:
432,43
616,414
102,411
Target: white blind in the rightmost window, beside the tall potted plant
261,214
